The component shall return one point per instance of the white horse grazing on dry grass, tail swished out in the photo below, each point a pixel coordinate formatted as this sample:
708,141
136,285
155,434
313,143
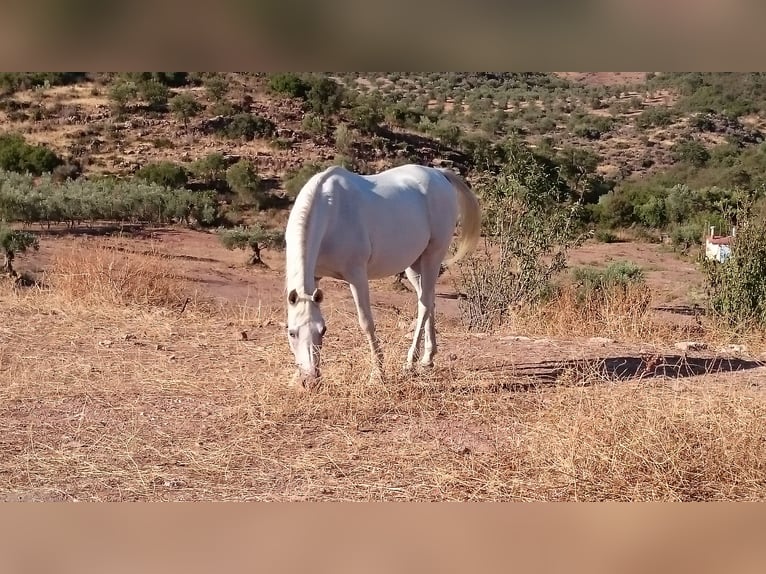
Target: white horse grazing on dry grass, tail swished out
356,228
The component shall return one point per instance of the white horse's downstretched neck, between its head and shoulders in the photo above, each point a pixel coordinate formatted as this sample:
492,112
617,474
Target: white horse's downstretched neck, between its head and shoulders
303,252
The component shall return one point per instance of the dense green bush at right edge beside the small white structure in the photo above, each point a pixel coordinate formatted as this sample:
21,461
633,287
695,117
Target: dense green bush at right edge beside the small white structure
737,286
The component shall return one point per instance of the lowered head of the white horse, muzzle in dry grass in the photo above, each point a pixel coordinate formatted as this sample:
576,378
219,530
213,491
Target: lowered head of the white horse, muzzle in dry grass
305,330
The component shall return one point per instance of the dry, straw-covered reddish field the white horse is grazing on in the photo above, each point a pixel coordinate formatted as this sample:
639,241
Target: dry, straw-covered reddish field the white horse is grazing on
156,367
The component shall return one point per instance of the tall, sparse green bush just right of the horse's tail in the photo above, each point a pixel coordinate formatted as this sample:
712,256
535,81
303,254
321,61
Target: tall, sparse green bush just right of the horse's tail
531,224
